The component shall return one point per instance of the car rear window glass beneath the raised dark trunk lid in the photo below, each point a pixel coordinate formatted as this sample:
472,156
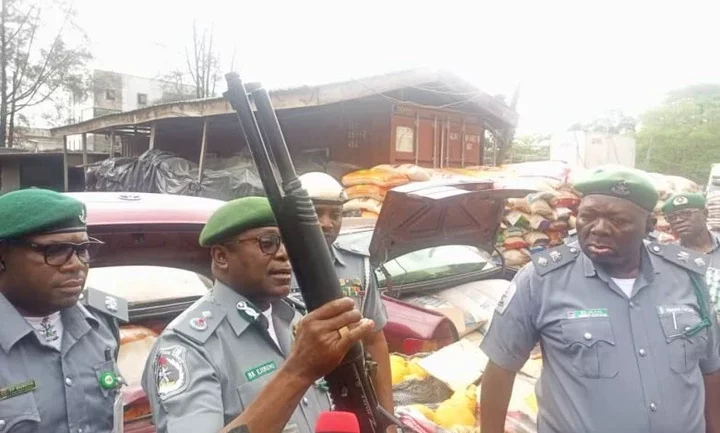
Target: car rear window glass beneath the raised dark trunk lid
422,265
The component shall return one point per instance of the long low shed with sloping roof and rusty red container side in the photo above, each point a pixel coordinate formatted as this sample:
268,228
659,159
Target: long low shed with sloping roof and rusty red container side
427,117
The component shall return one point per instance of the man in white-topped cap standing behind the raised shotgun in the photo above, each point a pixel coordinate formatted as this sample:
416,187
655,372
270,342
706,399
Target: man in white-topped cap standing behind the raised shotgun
356,276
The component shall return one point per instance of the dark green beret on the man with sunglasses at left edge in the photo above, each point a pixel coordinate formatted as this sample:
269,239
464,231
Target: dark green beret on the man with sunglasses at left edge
35,211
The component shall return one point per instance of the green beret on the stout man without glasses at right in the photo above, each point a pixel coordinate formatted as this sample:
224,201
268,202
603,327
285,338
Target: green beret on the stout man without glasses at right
616,181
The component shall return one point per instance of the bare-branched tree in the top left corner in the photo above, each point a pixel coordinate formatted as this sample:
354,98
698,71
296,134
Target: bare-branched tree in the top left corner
36,66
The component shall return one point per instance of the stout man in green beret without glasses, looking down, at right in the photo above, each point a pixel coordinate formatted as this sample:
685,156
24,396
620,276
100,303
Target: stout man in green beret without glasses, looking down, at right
629,342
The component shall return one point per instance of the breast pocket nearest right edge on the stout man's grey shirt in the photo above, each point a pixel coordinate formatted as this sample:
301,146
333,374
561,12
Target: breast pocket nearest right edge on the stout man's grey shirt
684,352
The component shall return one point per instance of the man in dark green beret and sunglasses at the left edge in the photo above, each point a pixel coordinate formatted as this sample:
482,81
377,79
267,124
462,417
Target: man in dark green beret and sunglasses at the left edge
57,355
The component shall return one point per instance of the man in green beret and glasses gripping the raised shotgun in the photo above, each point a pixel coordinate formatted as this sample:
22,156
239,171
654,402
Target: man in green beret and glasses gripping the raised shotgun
241,354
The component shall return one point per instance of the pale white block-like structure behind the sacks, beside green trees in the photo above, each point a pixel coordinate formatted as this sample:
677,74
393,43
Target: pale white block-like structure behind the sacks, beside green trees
592,149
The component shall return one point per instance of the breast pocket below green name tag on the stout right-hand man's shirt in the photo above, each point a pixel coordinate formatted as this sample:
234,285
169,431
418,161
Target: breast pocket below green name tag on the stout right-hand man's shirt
591,347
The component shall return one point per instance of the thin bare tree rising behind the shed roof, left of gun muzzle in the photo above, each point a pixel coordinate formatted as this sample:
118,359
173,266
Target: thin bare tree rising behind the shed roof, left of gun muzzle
202,67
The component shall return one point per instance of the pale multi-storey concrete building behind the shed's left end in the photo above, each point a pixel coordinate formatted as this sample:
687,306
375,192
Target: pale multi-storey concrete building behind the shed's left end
113,93
